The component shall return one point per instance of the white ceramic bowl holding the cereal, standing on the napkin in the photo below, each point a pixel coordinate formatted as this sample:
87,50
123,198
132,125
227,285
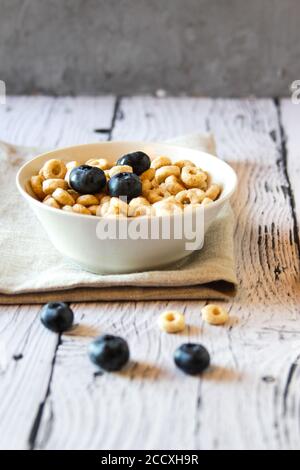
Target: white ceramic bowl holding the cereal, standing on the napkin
75,236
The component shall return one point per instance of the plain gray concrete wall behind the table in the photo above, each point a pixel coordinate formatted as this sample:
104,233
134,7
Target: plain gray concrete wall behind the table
203,47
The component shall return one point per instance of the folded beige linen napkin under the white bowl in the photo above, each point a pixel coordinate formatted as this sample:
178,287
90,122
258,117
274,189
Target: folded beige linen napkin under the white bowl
32,271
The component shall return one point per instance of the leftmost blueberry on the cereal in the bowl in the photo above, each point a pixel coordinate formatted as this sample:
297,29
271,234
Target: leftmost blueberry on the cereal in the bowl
87,179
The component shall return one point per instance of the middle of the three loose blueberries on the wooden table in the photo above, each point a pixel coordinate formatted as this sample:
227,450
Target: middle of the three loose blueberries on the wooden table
109,352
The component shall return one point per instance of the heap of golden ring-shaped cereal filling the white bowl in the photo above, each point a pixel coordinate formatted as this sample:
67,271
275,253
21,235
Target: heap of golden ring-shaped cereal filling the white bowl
165,187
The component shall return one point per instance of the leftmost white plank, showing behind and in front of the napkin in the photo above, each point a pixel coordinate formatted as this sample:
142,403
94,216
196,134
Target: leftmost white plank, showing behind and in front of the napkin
24,381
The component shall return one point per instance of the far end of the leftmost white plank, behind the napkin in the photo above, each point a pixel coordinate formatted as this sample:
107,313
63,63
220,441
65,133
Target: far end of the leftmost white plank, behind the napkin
47,122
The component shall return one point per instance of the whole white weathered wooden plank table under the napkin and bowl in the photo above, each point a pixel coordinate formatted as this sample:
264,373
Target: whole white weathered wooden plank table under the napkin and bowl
49,396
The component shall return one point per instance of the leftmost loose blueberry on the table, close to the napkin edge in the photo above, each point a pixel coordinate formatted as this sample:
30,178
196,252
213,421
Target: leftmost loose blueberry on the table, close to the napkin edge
57,316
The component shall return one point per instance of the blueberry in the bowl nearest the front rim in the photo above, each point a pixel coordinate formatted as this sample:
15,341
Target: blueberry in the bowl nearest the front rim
125,184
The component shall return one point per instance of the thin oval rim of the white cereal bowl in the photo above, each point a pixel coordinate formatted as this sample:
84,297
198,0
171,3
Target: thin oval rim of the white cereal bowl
40,205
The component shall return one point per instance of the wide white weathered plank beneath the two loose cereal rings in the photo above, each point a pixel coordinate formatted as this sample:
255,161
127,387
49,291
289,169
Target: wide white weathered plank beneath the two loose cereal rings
249,399
